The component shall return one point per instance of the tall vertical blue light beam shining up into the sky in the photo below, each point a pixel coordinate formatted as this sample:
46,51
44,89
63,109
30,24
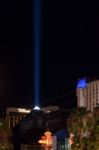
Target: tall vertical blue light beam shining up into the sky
37,47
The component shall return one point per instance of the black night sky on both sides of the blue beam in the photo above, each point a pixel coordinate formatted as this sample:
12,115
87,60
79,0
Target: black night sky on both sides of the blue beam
69,49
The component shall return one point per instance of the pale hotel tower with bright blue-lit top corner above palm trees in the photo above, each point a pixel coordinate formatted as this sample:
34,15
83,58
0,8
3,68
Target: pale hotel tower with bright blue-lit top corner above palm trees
87,94
